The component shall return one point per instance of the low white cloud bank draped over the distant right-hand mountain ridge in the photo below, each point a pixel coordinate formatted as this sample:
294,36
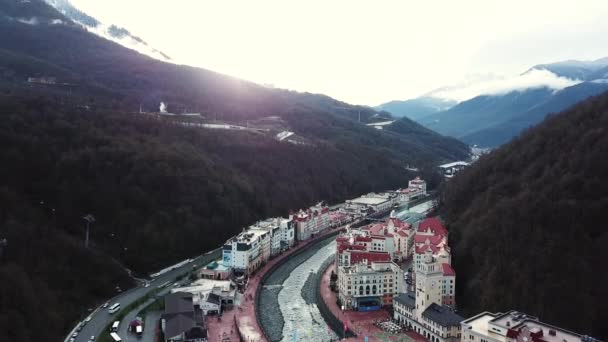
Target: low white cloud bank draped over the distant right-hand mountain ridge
495,85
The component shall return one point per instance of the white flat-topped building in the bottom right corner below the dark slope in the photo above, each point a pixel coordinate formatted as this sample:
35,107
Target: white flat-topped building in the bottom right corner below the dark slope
514,326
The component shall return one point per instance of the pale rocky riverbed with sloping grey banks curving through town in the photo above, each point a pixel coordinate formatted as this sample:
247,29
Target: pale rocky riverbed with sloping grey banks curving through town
287,302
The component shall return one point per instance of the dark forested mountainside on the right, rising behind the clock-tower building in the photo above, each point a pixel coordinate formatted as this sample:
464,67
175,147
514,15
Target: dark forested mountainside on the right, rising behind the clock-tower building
527,222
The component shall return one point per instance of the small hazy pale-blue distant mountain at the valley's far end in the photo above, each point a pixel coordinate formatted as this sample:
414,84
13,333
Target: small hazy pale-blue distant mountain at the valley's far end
417,108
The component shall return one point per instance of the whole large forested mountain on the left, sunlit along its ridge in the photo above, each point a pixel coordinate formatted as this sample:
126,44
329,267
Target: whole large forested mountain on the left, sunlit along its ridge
161,188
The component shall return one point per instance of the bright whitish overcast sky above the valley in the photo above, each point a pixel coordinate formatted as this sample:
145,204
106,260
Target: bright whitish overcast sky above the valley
367,52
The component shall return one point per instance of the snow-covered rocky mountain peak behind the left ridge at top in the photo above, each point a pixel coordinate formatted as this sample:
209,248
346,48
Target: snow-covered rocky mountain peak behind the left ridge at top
112,32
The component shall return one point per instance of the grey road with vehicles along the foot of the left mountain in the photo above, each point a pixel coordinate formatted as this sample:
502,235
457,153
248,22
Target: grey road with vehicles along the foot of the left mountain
100,318
